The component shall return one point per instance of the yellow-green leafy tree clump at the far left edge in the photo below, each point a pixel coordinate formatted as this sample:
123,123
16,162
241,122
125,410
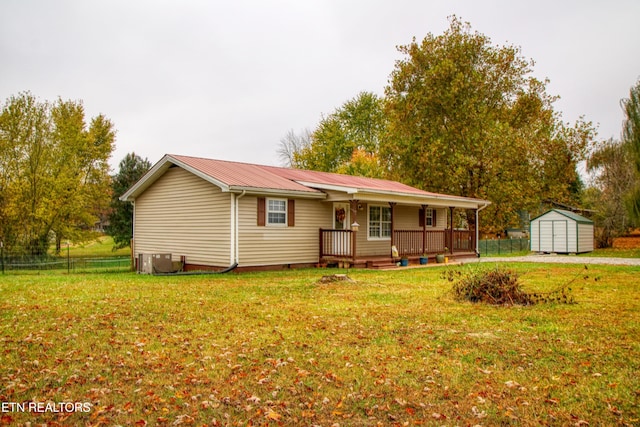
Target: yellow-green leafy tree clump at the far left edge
54,171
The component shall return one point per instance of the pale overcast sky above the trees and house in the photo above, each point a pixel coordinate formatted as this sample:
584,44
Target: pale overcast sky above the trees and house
228,79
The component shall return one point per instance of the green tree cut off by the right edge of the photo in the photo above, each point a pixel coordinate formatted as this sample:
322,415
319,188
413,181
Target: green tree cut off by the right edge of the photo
631,138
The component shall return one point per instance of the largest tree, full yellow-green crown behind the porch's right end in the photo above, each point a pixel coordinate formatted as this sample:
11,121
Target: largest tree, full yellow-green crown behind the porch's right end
466,117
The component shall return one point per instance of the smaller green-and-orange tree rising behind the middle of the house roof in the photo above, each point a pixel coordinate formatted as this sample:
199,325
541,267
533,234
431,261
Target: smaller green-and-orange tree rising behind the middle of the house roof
348,140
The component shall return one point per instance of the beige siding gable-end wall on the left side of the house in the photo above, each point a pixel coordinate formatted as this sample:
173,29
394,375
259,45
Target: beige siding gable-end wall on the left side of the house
183,214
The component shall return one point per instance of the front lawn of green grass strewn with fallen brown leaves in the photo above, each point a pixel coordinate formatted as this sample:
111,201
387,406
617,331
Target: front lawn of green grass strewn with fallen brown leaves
393,348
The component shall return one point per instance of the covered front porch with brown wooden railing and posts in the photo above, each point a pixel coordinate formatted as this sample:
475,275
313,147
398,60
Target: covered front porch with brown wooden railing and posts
404,231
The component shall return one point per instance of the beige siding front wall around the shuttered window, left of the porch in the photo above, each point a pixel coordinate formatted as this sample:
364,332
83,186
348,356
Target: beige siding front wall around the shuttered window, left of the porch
281,244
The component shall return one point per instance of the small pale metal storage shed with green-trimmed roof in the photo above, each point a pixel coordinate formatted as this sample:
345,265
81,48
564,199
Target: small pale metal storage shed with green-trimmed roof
561,231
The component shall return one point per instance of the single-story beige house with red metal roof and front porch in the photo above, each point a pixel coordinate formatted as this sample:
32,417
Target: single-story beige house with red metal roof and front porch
213,214
